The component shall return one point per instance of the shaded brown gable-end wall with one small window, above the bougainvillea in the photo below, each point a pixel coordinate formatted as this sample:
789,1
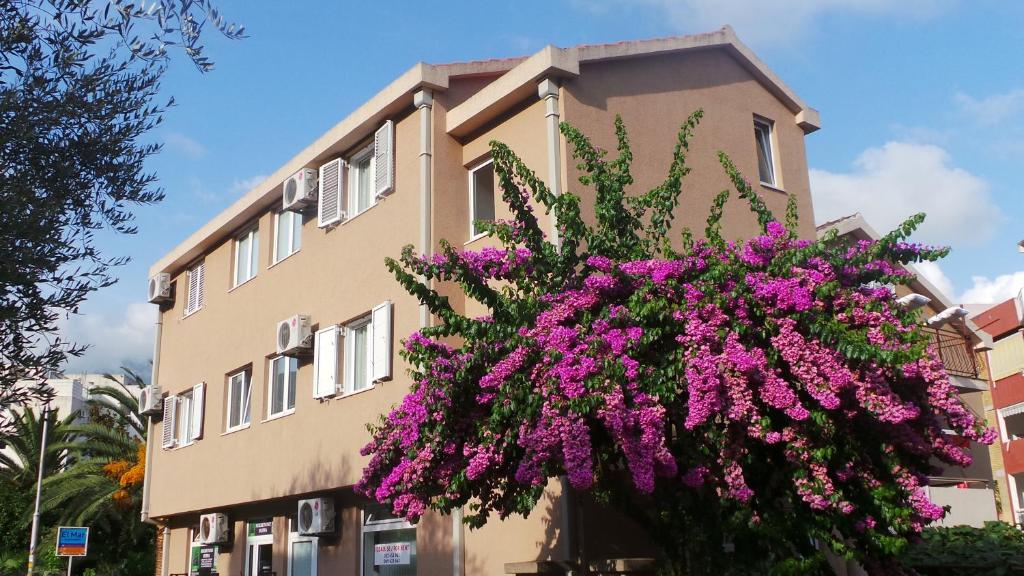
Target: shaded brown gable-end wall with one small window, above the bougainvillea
656,99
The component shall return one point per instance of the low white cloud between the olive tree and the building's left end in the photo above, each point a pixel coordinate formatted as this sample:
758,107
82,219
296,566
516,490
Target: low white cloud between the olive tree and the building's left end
121,338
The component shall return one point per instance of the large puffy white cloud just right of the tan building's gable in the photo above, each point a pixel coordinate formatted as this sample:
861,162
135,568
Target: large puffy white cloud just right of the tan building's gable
899,180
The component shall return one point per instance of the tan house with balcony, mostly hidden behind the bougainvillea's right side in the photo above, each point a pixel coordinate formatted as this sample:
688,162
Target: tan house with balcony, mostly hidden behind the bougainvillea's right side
973,495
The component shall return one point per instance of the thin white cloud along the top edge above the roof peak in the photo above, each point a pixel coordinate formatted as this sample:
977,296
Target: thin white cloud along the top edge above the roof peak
762,22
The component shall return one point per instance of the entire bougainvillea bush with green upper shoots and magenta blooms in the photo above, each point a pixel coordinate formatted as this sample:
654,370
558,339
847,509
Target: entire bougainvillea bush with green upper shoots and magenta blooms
769,394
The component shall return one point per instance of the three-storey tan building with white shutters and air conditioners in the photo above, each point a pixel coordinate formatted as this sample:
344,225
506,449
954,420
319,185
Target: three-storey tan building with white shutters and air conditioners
247,433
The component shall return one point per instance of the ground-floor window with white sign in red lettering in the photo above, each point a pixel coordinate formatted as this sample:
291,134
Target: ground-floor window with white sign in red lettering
389,544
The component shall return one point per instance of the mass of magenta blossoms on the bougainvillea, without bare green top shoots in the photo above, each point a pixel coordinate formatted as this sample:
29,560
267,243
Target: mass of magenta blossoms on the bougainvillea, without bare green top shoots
684,374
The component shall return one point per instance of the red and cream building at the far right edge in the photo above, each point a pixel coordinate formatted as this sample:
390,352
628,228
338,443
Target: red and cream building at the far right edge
1005,323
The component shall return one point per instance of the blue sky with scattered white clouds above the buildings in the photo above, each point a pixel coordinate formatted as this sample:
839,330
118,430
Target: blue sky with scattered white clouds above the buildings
922,105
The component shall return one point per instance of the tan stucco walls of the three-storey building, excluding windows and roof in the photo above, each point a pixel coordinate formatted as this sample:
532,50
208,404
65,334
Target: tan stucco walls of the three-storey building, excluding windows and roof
339,275
